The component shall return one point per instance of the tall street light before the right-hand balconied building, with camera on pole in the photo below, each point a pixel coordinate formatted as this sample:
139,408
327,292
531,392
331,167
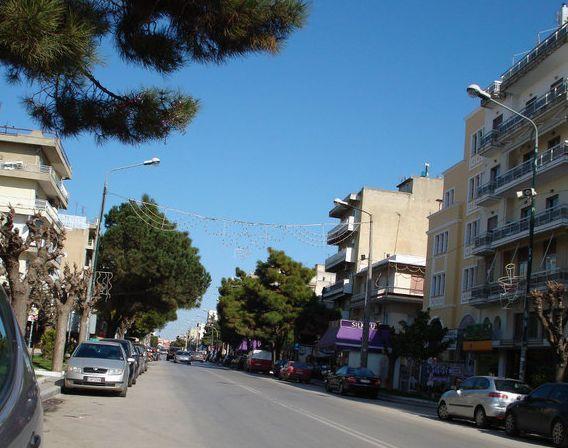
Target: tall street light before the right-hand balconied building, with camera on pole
475,91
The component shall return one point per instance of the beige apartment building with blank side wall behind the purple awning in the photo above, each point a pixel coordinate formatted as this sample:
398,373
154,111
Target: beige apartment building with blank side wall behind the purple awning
399,243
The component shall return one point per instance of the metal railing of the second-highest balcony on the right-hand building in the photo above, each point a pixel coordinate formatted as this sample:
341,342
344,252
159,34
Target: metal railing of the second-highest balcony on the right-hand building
534,109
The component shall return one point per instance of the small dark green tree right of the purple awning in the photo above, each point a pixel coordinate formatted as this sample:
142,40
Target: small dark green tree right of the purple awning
419,341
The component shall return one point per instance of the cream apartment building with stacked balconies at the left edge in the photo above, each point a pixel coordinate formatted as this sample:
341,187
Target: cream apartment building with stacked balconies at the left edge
33,166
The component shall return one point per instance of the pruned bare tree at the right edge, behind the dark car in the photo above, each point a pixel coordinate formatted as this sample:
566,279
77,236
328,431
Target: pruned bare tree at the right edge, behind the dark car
551,310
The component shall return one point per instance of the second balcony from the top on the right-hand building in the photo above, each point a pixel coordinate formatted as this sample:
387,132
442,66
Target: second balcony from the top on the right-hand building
495,140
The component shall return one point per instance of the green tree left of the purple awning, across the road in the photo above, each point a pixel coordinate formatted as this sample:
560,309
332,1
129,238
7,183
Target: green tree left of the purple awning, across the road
265,306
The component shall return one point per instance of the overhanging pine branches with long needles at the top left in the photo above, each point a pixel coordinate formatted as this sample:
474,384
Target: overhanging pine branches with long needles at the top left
54,46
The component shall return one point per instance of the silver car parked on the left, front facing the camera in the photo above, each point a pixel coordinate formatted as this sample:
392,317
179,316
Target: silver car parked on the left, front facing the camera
98,365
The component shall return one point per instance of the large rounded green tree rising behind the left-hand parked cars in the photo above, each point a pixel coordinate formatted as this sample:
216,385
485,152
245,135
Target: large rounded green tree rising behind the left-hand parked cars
155,271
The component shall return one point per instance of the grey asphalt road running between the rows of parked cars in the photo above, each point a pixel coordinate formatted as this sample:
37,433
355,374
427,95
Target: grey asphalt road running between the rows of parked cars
204,406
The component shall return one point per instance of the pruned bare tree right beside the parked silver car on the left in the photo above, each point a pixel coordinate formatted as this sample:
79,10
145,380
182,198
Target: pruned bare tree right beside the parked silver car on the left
66,290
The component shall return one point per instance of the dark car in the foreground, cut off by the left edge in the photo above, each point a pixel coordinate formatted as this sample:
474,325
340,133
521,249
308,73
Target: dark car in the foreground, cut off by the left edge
21,414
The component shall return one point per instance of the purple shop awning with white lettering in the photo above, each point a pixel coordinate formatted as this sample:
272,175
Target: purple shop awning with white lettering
347,334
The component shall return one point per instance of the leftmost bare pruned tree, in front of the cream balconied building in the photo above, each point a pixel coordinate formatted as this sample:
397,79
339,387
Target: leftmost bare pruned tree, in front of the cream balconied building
44,245
